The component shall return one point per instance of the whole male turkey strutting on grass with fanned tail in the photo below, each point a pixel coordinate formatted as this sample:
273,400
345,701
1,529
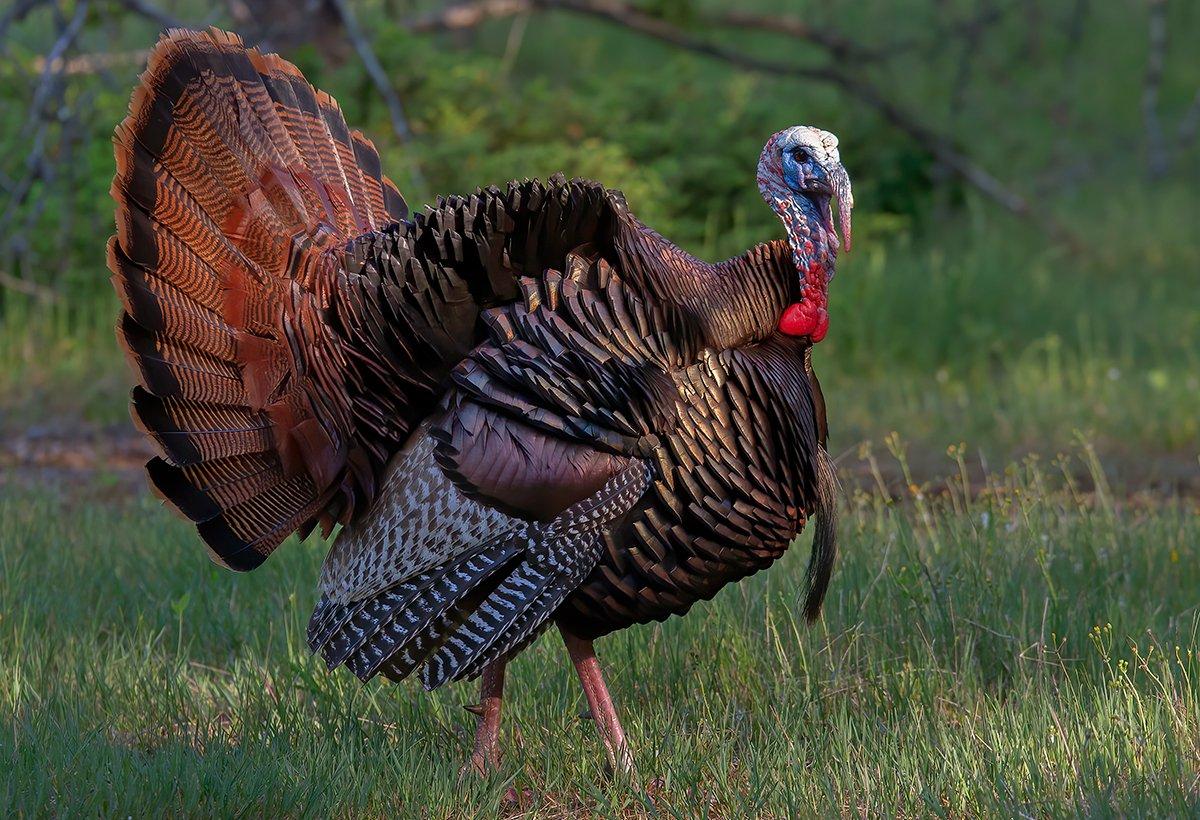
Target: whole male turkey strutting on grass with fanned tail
523,405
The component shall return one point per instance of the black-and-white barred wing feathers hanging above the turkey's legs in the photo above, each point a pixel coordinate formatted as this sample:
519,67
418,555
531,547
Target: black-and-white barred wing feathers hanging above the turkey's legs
483,604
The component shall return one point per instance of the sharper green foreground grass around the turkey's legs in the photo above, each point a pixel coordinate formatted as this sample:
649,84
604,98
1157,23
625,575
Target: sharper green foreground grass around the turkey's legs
1028,651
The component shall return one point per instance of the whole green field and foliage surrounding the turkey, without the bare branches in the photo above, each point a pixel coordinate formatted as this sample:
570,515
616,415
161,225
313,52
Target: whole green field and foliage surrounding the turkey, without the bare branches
1015,625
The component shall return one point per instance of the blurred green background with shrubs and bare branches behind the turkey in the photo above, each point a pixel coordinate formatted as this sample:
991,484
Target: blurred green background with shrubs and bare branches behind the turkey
1027,255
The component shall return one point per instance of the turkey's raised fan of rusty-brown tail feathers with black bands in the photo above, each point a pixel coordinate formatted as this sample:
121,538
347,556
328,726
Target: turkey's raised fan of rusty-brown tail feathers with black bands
229,164
